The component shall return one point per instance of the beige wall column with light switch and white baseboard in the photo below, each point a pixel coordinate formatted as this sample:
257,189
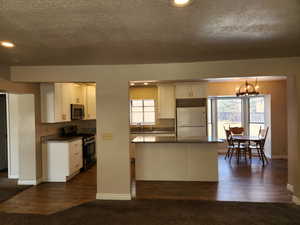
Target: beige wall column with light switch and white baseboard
113,166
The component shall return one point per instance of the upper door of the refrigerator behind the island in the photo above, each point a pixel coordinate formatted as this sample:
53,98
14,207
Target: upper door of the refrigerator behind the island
191,116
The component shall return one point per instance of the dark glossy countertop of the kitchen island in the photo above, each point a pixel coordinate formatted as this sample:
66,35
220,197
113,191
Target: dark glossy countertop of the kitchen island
157,139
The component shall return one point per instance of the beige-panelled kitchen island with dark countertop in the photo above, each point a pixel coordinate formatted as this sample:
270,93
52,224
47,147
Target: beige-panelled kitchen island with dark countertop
176,159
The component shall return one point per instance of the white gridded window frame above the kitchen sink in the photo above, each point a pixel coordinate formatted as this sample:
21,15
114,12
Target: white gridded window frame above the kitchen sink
143,112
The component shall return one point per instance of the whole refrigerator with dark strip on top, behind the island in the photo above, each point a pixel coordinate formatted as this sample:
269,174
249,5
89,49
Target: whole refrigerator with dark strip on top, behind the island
191,118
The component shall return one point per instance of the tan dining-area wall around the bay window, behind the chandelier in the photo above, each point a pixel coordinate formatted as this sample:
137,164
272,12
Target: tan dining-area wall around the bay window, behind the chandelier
277,90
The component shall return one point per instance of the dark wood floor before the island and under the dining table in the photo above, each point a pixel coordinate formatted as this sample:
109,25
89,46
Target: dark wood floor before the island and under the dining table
237,182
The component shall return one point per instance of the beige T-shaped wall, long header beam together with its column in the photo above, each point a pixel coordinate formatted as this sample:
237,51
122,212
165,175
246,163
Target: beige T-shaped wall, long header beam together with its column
113,176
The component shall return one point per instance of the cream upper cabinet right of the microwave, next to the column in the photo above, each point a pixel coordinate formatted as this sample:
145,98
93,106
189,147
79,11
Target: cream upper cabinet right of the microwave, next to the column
90,102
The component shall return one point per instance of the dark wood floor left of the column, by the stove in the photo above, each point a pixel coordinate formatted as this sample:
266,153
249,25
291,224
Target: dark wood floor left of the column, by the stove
48,198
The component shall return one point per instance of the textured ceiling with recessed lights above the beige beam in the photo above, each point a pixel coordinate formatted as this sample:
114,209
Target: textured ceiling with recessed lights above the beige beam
49,32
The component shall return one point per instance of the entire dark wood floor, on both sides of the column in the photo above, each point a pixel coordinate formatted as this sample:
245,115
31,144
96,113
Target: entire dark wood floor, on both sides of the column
243,182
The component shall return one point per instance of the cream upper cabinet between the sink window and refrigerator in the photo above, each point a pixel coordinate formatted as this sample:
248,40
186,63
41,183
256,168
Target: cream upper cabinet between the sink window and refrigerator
166,101
